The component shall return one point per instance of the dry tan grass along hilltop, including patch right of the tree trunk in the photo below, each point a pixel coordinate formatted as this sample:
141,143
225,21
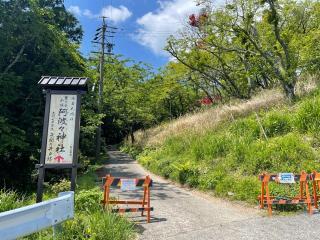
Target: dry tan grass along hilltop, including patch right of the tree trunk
201,122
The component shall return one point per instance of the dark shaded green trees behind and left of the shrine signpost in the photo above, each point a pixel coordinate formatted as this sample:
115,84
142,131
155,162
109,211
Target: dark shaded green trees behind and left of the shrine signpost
36,38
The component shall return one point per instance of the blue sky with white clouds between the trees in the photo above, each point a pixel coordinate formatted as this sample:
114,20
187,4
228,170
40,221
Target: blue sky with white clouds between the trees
143,25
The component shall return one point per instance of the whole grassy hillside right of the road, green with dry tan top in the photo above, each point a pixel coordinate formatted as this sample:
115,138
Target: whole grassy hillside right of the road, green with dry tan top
224,149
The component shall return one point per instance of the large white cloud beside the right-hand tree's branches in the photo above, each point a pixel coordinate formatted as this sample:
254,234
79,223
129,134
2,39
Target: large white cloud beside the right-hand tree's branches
168,19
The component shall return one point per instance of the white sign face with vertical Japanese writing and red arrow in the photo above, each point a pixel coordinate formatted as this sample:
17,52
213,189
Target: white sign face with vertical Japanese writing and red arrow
61,129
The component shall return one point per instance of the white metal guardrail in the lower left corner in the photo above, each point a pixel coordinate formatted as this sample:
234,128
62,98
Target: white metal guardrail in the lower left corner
30,219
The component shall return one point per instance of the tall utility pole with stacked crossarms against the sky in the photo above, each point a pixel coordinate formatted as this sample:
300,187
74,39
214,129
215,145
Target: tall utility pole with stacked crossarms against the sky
101,39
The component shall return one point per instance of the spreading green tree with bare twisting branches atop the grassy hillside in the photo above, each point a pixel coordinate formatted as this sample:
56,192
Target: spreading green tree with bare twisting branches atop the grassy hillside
247,45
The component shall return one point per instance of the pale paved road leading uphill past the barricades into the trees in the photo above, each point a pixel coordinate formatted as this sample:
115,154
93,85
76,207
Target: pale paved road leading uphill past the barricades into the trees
184,214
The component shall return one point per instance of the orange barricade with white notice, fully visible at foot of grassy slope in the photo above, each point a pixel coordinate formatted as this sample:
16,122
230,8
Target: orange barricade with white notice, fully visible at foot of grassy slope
303,198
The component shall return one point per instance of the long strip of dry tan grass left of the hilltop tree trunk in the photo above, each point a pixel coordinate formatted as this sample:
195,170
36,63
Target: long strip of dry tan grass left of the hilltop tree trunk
202,121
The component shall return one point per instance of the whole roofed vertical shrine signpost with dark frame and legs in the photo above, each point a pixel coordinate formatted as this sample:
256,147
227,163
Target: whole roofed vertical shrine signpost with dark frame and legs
60,137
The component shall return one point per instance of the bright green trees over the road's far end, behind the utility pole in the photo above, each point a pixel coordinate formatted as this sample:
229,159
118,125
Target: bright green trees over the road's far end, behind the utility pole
136,98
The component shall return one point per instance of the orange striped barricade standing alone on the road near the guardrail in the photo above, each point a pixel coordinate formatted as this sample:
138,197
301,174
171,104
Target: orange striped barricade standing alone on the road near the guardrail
126,185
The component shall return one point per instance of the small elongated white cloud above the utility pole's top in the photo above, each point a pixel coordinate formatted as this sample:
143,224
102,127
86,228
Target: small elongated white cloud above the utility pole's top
114,14
